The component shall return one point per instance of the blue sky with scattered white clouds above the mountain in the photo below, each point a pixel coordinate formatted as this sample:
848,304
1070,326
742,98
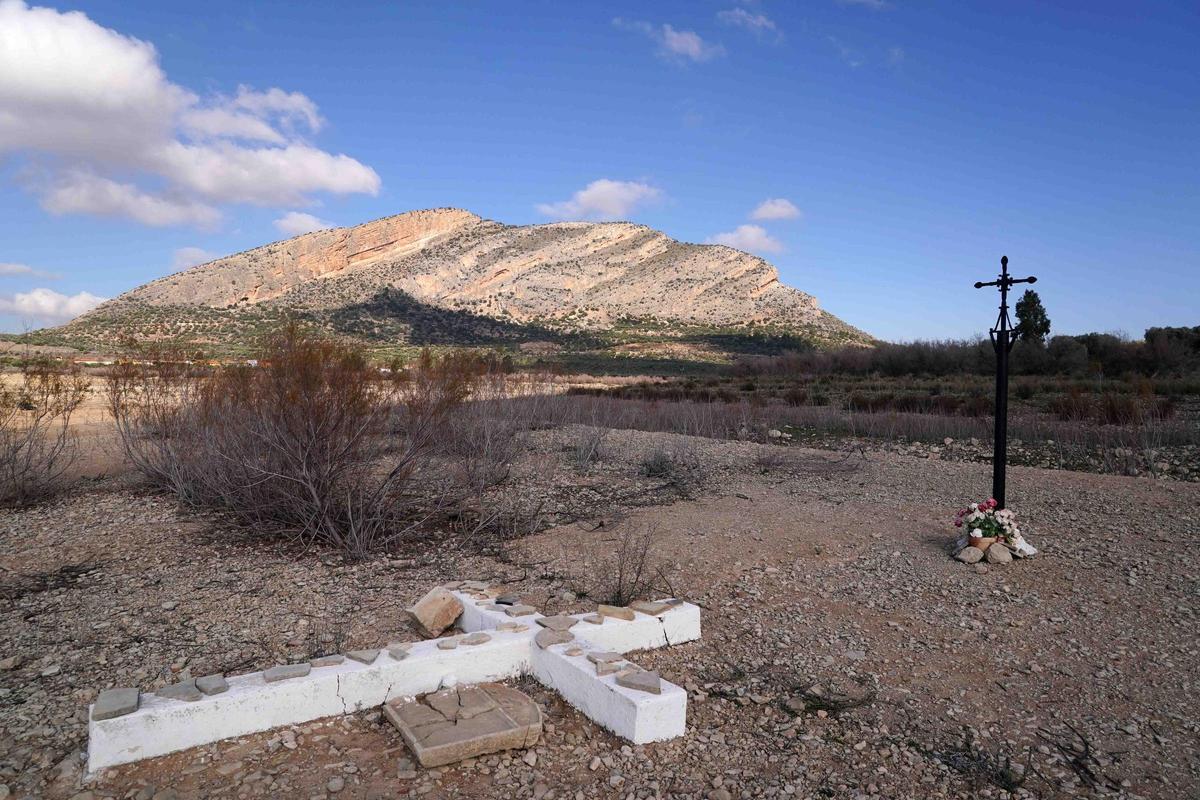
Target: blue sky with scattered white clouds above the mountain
883,154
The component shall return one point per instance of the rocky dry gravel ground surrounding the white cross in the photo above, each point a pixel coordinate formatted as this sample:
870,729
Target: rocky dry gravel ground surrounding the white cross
845,653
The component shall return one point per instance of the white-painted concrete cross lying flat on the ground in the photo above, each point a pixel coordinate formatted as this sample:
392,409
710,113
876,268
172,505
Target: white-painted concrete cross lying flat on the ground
250,705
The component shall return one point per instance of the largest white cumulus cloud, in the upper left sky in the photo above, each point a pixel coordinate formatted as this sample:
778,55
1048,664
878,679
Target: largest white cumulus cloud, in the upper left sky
111,135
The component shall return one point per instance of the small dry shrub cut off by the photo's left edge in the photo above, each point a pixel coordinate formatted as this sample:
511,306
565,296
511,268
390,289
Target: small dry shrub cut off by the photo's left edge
37,442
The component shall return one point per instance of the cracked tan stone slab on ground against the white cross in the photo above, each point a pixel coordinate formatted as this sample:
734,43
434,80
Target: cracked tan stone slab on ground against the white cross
448,727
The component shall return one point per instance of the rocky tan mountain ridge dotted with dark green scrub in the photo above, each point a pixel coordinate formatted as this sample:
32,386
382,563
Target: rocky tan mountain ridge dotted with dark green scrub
447,276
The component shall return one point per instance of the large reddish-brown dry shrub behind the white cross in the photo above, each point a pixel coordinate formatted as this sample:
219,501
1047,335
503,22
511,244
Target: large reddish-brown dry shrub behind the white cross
314,443
